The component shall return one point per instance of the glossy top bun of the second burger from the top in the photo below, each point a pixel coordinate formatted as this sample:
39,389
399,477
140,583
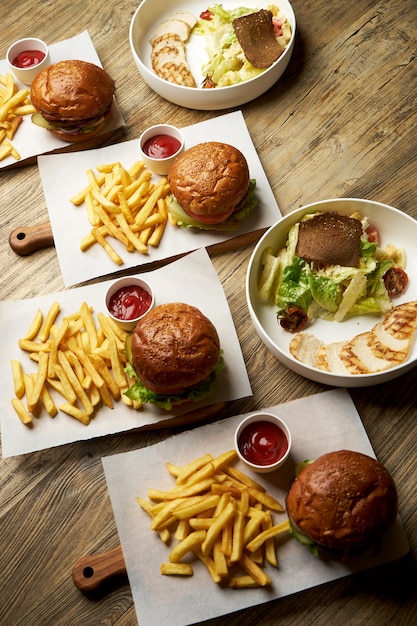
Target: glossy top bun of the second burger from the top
210,179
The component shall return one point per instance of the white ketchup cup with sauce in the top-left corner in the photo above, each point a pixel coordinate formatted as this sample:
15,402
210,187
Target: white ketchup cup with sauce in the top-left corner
27,57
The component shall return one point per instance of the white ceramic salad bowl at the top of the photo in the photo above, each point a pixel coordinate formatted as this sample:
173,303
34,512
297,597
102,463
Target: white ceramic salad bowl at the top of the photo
151,13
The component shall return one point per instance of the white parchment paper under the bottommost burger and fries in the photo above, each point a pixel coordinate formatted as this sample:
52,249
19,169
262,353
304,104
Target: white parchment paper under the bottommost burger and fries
318,424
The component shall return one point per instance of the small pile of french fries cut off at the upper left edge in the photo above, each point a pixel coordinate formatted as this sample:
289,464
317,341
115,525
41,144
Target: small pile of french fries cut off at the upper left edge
14,104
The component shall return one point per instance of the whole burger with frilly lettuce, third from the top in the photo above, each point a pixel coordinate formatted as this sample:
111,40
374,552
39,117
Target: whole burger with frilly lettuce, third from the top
174,356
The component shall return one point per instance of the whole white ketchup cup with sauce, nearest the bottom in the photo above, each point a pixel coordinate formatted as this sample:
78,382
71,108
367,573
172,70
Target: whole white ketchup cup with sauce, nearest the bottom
263,442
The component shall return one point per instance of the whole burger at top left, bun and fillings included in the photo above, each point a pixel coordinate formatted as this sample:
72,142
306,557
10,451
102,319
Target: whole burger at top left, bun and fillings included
73,99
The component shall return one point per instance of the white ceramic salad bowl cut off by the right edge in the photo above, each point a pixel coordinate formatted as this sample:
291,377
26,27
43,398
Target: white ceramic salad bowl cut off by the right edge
394,227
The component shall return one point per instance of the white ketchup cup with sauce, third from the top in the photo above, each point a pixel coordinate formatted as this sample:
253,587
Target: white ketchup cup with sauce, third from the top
128,300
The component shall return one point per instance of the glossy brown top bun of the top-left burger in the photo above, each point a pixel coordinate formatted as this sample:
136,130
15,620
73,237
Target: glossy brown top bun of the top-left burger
72,90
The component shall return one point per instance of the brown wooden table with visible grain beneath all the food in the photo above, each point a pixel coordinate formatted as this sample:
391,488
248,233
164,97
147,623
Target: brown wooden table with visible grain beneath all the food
340,123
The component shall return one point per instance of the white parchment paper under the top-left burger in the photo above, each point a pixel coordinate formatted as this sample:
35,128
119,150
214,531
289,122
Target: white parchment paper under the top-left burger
31,140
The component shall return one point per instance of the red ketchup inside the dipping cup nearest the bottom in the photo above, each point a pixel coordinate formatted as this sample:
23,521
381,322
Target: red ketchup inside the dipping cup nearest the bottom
262,443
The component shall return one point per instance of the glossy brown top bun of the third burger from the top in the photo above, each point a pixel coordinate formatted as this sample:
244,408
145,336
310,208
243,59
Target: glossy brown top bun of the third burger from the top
174,347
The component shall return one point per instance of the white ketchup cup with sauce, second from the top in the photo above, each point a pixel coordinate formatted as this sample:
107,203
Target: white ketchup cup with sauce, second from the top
160,146
